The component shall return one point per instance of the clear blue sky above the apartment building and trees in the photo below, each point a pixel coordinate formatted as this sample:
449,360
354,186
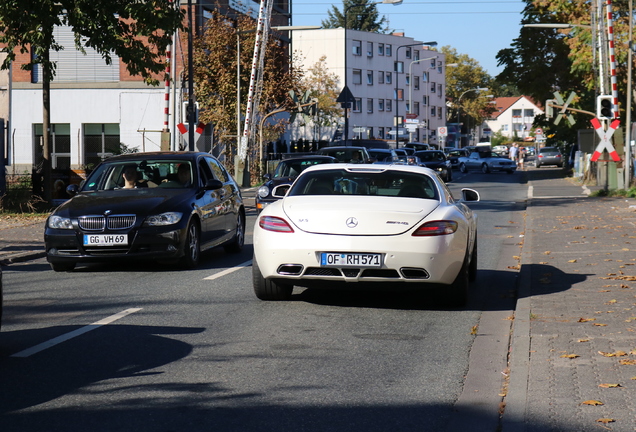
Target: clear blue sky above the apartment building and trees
476,28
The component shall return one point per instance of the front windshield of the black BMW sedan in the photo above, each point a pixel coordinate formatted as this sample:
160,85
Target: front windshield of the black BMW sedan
134,174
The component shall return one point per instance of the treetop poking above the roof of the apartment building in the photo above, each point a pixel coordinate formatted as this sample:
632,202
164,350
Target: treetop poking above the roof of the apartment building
361,15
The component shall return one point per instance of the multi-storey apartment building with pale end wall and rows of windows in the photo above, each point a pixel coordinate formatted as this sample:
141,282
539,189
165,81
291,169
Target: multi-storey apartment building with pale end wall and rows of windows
391,77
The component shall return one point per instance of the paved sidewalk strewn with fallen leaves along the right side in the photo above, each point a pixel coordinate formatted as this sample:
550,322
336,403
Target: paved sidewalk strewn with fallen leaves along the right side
573,352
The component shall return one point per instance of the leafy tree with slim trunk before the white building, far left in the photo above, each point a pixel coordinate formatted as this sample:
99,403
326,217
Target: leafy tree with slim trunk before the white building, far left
138,32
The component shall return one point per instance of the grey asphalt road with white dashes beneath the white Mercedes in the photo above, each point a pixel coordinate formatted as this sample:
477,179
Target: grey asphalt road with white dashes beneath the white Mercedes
151,348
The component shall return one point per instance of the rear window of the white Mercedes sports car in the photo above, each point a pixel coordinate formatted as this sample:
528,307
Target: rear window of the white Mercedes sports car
365,182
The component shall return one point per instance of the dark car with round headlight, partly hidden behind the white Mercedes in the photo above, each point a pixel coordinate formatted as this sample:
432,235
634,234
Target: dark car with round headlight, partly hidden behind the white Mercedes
284,175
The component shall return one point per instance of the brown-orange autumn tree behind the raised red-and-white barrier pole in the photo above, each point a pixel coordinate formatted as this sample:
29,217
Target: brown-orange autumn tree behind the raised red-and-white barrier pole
215,66
